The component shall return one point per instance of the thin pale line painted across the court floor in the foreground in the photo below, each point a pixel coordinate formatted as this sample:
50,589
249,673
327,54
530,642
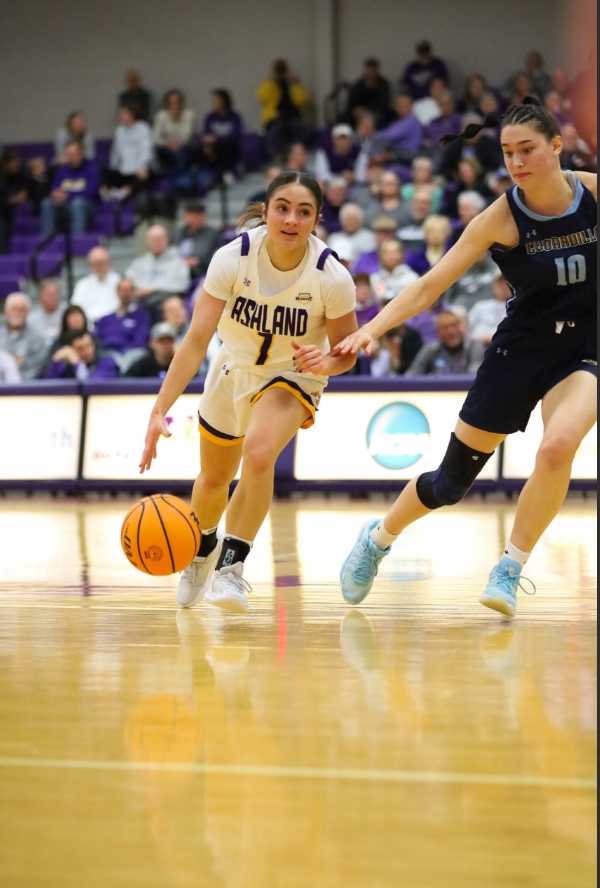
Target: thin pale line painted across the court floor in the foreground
307,773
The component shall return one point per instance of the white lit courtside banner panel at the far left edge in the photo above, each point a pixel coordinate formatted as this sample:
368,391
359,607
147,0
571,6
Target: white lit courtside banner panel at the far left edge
40,437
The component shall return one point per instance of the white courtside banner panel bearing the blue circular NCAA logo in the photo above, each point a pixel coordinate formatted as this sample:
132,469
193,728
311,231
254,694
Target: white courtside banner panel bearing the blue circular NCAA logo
376,436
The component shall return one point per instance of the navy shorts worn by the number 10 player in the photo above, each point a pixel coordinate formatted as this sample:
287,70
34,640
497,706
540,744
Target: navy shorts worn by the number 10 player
520,366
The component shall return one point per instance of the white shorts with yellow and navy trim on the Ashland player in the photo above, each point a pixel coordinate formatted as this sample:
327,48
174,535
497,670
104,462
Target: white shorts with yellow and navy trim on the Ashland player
230,392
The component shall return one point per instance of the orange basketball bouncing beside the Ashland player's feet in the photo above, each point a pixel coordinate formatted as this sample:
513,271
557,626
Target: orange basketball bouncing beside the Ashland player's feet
160,535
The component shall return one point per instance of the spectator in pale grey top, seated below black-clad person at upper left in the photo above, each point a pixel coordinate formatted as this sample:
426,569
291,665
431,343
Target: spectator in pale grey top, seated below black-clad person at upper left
131,154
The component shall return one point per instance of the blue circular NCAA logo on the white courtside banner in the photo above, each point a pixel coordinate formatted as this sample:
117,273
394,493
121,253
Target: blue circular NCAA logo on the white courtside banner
398,435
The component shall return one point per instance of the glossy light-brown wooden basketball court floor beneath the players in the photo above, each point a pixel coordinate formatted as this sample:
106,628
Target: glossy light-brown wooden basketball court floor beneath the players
417,742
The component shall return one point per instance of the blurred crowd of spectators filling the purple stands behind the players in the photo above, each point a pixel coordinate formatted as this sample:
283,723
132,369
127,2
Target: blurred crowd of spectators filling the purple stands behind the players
395,202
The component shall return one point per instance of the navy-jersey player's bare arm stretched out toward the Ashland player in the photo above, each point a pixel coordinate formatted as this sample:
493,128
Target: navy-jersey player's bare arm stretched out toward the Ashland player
492,225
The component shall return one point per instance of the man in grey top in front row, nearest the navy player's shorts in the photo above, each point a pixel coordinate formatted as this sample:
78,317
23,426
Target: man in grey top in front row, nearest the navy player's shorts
452,354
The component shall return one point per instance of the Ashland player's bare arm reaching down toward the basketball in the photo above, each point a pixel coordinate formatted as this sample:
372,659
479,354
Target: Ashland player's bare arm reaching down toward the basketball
184,366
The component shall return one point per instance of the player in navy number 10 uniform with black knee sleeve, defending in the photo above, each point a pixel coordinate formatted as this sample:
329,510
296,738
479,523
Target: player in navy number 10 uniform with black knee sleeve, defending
543,235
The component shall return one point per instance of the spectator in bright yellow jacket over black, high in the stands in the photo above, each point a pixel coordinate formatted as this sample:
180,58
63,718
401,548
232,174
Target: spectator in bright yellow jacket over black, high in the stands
283,99
